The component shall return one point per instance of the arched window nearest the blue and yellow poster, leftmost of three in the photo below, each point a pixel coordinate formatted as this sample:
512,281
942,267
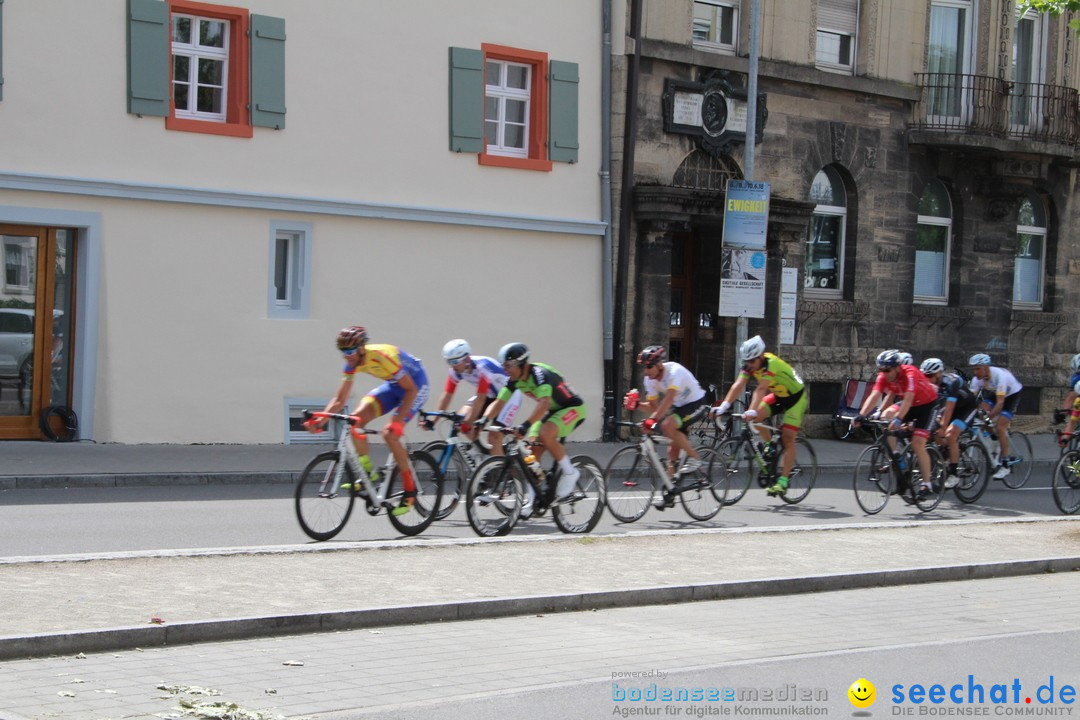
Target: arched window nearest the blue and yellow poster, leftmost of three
826,244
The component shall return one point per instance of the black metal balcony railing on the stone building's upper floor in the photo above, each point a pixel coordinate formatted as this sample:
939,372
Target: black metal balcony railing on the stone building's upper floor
991,107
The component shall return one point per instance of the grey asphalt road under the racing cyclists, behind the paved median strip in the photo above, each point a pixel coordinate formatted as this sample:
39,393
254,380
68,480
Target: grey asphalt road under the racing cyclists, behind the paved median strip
36,523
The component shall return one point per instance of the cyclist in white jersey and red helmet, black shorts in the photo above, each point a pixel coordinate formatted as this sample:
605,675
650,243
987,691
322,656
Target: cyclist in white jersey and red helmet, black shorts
677,401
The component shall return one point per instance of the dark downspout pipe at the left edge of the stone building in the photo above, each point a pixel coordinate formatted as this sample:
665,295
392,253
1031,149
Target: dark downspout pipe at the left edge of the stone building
626,211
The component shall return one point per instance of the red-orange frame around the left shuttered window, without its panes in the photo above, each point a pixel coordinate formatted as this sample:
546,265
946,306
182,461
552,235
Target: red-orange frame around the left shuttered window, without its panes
237,117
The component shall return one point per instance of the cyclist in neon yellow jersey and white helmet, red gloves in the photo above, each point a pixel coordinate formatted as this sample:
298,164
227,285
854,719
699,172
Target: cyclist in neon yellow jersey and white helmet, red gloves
780,390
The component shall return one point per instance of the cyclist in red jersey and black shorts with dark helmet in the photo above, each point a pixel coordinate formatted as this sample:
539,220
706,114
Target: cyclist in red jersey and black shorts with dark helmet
919,398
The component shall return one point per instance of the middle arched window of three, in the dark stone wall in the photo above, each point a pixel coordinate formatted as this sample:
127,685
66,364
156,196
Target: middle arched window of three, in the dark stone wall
934,237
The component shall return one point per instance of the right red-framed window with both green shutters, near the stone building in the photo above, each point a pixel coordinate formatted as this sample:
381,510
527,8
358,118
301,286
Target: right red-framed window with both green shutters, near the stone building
514,108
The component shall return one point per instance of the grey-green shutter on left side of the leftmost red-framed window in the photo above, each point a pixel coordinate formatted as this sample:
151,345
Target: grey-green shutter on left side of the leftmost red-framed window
148,52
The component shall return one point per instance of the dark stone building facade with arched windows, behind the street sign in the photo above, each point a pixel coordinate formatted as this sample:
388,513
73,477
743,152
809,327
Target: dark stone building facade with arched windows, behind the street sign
922,174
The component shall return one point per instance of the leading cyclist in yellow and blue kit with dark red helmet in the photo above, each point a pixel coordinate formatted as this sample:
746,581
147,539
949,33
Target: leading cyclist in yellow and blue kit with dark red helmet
403,392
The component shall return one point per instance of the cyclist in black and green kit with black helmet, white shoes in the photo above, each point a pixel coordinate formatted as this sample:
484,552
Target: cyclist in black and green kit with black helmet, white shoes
558,412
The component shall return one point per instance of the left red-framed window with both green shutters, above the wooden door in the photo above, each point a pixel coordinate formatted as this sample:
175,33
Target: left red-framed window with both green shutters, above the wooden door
206,69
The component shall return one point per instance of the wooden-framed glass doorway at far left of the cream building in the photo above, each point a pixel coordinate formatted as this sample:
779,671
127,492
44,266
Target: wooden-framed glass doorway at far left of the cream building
37,327
